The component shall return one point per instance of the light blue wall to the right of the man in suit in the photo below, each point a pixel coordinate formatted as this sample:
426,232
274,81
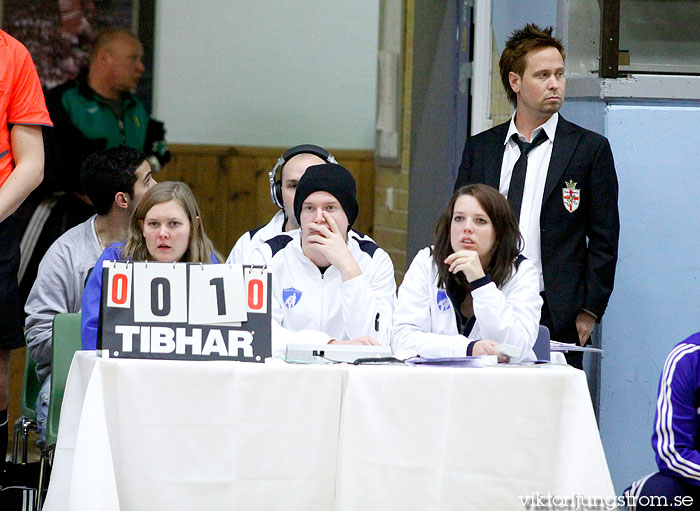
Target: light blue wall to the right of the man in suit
656,301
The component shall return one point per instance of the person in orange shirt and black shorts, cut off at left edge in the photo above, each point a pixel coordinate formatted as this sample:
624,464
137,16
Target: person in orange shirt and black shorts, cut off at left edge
22,114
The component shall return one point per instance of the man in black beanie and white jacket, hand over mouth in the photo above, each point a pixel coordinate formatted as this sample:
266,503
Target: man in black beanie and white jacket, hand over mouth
328,286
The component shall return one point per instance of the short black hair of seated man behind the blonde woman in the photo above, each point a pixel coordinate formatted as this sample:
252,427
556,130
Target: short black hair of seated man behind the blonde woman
105,173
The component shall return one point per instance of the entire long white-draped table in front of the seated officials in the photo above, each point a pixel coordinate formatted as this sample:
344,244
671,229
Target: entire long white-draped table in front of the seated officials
152,435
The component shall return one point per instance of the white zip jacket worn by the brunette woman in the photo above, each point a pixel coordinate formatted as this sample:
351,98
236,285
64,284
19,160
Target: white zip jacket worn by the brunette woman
425,321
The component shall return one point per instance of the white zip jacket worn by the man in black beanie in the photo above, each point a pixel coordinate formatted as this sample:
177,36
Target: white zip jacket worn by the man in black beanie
311,307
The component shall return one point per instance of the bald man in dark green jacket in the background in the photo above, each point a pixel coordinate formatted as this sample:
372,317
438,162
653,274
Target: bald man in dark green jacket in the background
99,110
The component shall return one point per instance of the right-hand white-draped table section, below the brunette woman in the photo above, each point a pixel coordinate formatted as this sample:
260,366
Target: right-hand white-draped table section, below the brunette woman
467,439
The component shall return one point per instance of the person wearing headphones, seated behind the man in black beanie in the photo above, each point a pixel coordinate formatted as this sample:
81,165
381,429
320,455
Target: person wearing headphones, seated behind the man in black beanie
292,165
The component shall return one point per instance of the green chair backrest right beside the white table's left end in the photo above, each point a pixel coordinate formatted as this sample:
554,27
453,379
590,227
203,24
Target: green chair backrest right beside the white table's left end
65,342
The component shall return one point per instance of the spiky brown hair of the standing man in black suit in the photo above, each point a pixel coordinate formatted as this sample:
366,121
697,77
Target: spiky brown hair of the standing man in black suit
517,47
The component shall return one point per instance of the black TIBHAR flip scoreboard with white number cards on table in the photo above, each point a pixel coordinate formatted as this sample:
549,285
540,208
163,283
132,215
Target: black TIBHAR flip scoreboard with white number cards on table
188,311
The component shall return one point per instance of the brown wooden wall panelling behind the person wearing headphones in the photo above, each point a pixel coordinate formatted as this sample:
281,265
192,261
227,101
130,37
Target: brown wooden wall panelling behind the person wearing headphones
232,186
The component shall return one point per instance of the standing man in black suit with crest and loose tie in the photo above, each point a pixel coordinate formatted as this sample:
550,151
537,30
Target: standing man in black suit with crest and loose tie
562,184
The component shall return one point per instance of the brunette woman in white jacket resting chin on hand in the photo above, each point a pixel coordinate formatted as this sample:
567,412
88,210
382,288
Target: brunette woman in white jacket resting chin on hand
472,290
